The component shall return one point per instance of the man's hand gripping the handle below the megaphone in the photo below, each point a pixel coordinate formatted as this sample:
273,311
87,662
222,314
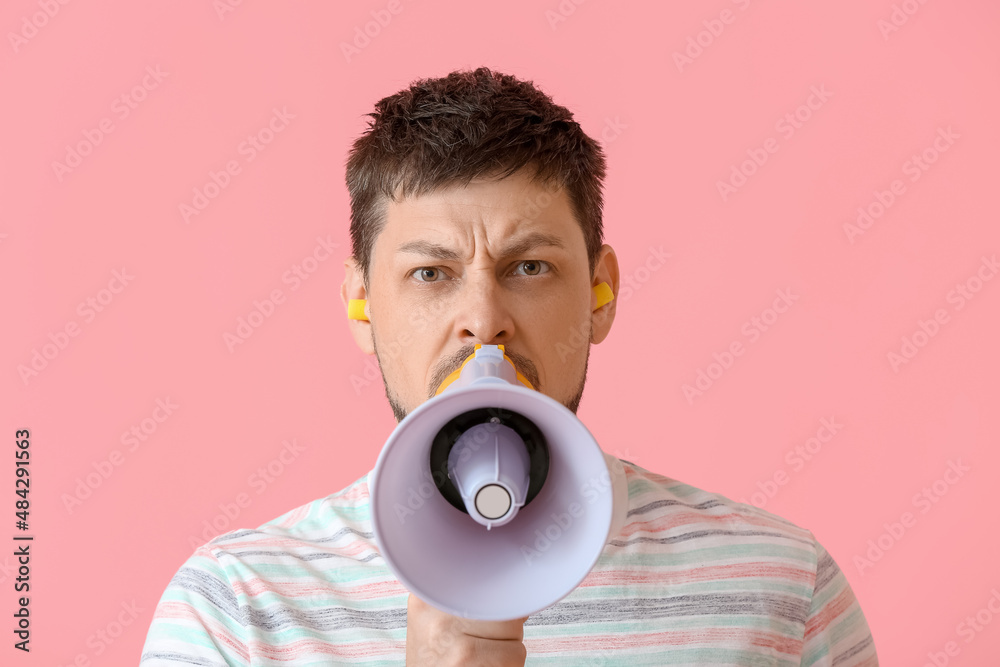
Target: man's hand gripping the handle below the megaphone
437,639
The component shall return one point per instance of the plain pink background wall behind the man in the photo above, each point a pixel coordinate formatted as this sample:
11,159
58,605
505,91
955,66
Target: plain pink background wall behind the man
672,132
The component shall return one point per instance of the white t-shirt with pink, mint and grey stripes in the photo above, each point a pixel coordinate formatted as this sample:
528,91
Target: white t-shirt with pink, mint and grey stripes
693,579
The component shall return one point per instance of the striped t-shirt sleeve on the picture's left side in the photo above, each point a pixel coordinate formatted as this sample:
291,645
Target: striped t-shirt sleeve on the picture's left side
198,621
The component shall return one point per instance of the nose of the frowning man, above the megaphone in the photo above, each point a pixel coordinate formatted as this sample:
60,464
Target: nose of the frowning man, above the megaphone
484,314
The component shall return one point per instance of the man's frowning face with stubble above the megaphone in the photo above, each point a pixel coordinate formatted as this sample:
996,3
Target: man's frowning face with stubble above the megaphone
495,262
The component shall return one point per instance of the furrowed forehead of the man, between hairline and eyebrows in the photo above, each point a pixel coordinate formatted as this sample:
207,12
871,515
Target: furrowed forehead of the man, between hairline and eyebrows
493,209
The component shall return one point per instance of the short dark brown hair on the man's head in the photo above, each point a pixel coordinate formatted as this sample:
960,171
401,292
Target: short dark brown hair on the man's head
466,125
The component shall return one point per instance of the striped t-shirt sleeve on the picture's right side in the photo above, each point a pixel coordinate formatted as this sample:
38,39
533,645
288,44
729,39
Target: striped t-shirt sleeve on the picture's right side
836,630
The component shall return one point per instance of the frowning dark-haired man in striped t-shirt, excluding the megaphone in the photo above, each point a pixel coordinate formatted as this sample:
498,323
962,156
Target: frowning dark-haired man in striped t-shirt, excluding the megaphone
476,220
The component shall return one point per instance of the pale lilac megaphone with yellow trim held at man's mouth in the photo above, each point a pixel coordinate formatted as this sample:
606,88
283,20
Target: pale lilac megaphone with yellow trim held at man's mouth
492,501
